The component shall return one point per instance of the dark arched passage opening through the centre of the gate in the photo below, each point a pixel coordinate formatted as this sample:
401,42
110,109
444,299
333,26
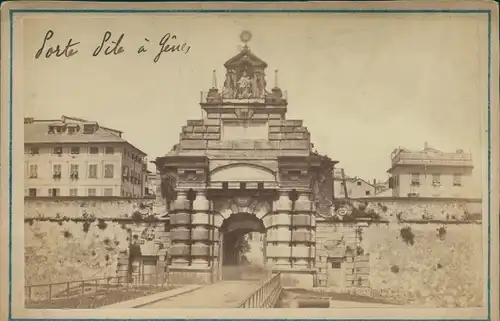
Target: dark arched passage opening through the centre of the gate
243,248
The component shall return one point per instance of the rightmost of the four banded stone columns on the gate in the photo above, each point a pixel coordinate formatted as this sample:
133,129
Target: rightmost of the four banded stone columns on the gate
303,232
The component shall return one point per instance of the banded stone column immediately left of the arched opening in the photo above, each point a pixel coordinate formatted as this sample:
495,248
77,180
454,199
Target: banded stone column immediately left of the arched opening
200,231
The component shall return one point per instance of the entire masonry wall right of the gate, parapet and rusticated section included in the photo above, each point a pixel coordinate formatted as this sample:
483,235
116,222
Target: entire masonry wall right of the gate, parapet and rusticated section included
425,253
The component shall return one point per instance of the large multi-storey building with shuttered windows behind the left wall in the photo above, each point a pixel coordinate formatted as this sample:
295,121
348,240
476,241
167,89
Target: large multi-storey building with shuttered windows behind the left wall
76,157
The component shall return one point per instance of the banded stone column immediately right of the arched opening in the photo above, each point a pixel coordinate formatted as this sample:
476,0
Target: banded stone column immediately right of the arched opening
278,232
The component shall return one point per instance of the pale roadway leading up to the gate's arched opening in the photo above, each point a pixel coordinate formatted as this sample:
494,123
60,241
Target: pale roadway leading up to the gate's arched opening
224,294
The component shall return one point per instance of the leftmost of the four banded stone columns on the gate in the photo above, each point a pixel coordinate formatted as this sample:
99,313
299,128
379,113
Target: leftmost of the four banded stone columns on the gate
180,221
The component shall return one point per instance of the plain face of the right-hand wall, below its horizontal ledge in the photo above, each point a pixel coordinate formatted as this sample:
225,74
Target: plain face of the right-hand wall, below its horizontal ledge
431,269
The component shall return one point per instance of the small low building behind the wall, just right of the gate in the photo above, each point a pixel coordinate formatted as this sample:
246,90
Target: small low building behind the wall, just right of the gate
355,187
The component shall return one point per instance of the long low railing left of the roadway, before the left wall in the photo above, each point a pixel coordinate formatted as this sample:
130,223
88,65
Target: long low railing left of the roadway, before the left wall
93,293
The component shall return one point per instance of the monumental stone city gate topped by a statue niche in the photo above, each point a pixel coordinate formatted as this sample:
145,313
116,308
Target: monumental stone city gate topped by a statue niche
243,167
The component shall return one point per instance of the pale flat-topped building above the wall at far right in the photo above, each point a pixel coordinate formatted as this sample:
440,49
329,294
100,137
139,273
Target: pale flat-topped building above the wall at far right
431,173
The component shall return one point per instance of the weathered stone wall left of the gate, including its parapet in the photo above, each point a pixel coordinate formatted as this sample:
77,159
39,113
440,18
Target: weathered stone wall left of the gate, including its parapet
75,238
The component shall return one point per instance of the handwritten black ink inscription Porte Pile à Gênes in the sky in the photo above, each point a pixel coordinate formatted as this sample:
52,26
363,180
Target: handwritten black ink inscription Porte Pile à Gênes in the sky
109,45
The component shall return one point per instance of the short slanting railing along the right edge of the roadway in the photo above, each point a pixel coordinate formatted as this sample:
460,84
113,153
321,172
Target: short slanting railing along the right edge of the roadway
266,296
